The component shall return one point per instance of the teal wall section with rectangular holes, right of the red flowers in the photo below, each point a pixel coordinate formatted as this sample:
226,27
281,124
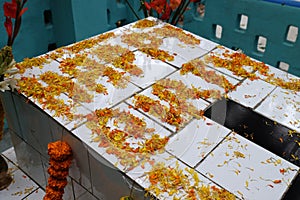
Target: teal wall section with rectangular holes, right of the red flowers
267,19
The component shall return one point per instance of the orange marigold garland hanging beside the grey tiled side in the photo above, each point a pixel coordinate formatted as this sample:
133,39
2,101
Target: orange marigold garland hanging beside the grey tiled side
60,160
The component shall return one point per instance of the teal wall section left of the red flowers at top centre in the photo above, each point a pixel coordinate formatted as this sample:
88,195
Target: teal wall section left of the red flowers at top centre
70,21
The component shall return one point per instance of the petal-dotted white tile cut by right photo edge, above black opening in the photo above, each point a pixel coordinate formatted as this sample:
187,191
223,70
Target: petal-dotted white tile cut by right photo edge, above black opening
282,106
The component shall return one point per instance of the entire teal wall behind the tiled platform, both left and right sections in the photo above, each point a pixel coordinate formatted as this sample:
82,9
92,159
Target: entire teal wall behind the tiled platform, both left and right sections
74,20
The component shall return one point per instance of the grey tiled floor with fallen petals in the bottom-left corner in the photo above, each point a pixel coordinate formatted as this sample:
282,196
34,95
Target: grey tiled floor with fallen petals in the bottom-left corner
22,186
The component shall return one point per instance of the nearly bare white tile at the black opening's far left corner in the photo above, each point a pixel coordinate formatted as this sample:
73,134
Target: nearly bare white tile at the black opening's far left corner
250,93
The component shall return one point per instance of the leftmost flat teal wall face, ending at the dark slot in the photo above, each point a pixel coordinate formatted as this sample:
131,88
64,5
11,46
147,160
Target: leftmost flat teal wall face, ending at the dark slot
34,35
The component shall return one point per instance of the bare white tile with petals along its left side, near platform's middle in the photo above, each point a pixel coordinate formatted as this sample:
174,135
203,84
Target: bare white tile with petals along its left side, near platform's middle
153,70
